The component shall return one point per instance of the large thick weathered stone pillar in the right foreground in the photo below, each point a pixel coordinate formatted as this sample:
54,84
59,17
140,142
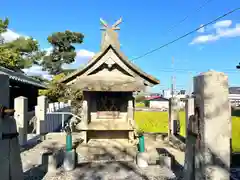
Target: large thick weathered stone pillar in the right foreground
212,105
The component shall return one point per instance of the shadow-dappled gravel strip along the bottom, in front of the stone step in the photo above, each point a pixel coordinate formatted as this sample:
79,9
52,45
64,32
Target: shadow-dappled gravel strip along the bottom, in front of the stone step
112,171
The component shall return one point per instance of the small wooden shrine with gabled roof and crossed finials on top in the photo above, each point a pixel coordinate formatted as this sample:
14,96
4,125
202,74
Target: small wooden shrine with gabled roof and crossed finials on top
108,82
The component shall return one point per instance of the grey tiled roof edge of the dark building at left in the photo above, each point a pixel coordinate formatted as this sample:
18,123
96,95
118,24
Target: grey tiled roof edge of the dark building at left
21,77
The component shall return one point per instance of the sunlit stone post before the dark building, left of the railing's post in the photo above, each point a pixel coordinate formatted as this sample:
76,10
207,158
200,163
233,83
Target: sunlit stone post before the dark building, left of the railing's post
20,115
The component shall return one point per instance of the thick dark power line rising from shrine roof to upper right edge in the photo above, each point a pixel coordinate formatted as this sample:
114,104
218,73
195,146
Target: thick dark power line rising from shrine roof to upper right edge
185,35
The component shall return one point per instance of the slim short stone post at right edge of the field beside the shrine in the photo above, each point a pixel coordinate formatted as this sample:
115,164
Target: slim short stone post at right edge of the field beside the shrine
173,115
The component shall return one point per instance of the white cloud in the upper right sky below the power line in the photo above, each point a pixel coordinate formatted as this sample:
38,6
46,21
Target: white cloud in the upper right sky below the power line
222,29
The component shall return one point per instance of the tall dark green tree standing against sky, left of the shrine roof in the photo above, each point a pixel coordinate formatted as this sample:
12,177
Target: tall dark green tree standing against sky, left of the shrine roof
63,51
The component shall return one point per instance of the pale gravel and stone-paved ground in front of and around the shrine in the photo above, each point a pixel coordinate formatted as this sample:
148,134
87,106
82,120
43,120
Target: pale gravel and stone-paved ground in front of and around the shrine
102,159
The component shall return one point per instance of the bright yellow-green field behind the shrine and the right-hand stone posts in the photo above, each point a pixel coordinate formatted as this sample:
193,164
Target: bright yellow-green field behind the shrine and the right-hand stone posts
158,122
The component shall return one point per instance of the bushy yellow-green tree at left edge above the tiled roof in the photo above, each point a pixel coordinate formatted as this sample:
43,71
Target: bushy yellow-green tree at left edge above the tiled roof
20,53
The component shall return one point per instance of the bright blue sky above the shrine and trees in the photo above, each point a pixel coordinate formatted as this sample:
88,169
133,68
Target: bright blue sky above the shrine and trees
145,26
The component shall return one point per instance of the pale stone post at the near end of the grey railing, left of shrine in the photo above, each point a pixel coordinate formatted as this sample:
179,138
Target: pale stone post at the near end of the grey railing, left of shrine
41,115
